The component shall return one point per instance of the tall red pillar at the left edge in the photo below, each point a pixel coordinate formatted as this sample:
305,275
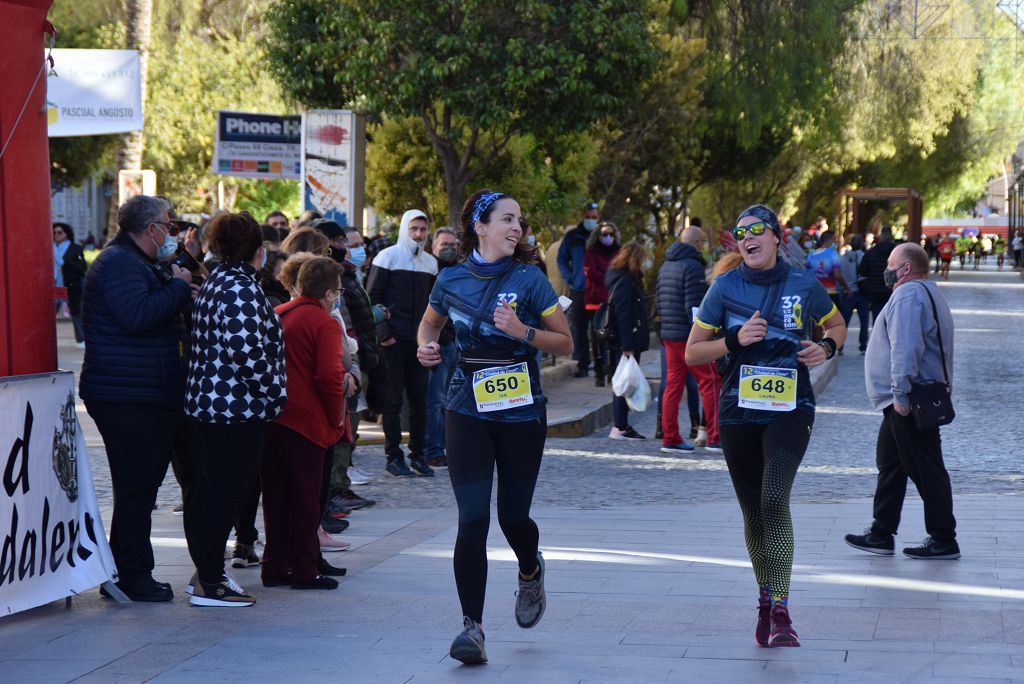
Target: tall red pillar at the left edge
28,331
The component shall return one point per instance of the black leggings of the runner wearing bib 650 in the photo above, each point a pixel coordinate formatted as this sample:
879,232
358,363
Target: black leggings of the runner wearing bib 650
475,447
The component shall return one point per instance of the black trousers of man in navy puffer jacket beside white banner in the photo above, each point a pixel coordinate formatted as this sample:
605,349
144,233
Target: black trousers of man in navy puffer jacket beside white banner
140,441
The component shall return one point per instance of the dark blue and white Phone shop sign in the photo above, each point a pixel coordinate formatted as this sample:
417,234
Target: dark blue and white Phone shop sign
259,146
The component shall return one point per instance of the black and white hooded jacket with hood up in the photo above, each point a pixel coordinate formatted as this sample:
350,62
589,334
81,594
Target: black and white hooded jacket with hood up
401,279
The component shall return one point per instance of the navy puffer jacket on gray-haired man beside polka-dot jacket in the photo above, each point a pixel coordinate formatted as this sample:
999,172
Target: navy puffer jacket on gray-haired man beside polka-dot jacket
136,332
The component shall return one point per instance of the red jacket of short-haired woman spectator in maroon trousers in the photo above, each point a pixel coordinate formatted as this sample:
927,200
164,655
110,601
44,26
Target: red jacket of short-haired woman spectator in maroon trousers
316,407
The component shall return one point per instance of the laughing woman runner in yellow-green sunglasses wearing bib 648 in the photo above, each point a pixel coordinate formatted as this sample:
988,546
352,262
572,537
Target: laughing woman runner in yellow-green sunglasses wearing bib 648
769,313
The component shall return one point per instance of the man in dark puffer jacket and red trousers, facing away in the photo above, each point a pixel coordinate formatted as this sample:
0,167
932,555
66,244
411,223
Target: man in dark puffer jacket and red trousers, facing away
681,286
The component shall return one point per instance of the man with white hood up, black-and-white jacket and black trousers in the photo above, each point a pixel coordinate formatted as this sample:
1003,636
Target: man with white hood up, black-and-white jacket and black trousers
401,280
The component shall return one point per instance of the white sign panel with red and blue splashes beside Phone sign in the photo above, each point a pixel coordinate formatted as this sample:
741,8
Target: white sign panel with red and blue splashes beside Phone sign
332,174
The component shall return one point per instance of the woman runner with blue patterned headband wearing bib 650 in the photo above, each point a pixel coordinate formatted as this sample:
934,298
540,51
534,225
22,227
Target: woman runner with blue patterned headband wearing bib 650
504,311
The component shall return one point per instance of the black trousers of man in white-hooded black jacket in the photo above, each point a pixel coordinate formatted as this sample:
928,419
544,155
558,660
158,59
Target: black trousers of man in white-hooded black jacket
405,375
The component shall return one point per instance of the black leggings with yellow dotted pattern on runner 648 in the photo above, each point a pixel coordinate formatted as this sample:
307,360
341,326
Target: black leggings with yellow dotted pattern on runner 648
763,462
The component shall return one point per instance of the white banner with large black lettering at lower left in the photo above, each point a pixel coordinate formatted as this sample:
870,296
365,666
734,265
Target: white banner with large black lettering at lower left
54,544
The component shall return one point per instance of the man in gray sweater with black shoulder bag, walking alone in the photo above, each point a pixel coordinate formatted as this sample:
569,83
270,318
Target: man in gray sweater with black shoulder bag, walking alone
904,352
